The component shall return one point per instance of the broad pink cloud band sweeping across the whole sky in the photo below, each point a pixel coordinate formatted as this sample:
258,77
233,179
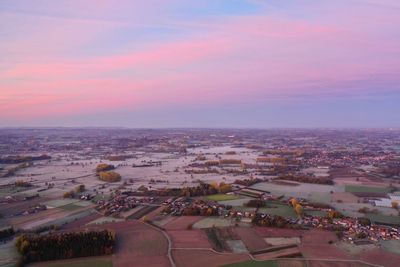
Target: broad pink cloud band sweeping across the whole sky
241,58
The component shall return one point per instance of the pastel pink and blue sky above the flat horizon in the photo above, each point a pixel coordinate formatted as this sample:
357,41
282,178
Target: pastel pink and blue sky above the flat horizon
208,63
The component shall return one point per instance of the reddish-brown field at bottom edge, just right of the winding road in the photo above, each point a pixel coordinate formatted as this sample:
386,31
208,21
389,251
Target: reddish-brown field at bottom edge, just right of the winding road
203,258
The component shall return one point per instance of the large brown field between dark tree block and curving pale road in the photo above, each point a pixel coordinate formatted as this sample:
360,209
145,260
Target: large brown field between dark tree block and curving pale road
138,244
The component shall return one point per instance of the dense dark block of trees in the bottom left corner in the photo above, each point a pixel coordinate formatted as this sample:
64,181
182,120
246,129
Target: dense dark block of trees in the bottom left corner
65,245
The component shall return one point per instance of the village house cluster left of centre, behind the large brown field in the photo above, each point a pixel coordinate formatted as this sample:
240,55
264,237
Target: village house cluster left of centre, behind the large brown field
120,203
